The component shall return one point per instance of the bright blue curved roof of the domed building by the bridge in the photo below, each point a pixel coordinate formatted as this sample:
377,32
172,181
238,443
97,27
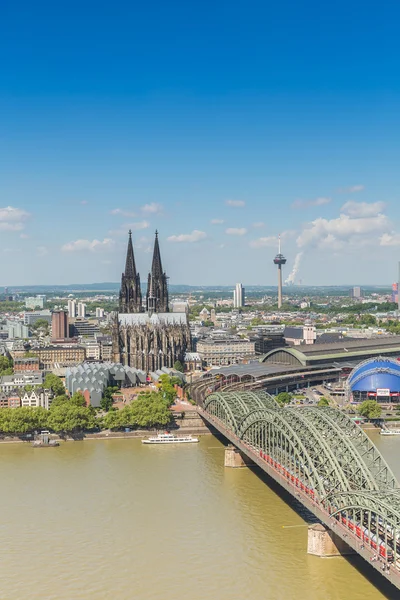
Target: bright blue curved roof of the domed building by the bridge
374,374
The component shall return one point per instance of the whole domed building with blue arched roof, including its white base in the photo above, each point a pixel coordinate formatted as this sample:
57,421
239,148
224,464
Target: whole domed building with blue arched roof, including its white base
375,379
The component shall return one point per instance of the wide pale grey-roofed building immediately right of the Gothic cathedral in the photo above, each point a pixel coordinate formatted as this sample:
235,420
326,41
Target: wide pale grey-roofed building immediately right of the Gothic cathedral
225,351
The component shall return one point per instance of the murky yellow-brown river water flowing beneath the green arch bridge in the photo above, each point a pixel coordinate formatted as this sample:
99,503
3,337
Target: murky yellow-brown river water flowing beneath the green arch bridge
117,519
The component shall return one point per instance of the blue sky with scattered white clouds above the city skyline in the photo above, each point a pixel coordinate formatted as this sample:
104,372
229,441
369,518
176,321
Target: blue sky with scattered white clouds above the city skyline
221,124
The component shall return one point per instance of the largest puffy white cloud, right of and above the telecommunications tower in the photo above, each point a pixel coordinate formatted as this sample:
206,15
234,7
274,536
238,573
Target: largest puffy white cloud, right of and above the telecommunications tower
335,233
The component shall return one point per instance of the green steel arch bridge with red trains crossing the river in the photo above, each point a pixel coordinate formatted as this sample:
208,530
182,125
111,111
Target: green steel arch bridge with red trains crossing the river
325,461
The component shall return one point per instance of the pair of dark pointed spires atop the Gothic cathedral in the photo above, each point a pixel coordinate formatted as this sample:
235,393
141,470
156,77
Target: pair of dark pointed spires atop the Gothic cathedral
130,297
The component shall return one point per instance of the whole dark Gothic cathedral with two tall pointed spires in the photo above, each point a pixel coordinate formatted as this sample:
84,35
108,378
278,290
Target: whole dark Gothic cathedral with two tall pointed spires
154,339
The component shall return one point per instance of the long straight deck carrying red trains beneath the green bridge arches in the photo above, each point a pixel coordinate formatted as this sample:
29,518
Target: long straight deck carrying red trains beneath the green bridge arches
389,571
